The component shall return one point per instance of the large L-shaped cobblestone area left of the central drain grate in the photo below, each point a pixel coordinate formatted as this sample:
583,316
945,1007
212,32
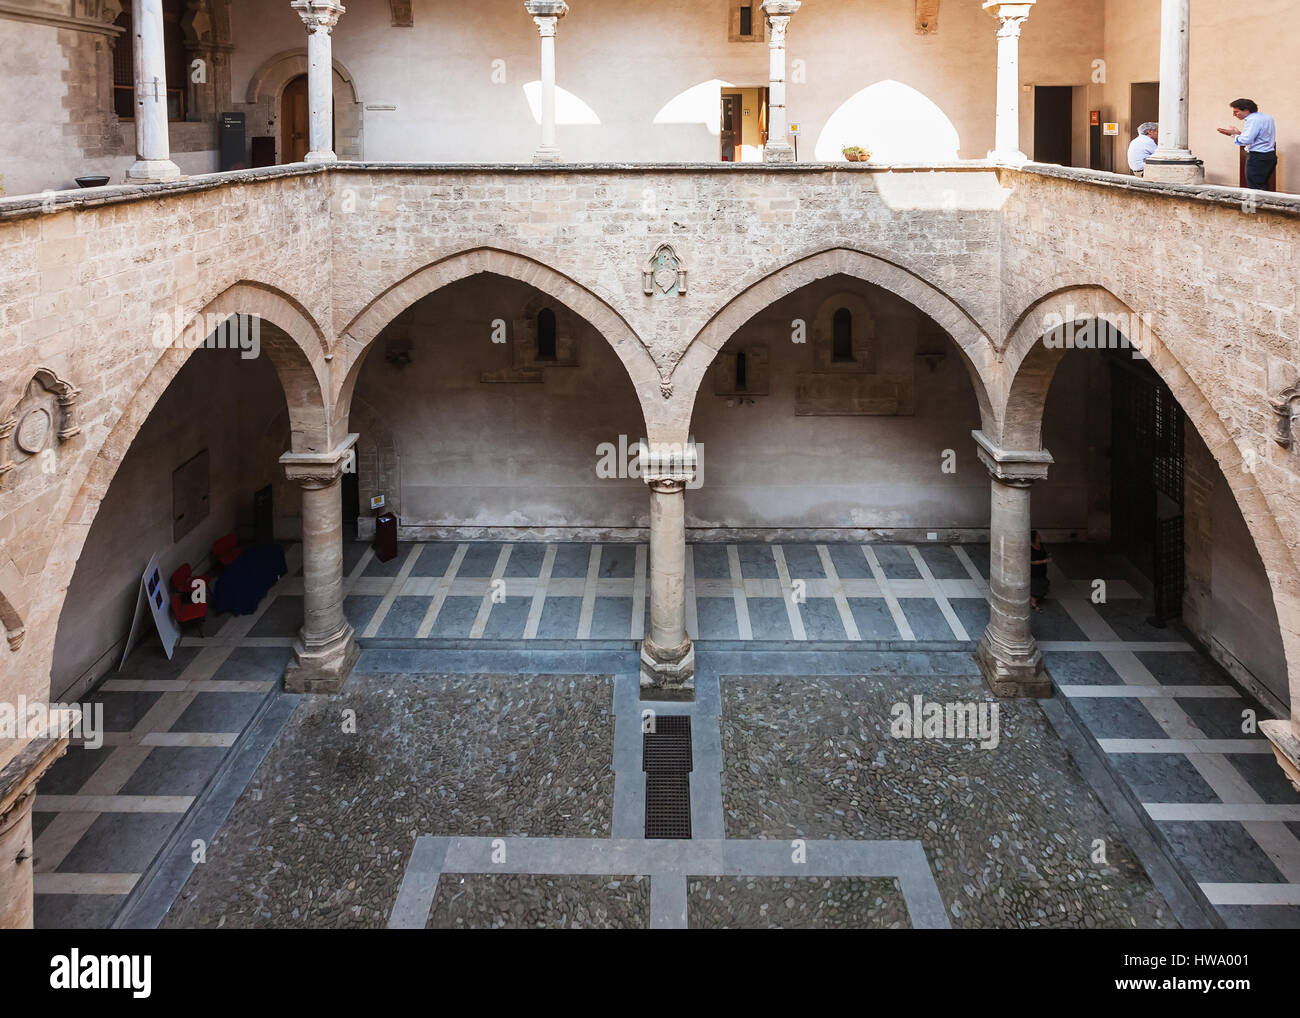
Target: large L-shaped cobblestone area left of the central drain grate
323,834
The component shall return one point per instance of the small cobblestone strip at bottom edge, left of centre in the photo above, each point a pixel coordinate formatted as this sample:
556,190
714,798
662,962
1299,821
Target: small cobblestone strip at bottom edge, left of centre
523,902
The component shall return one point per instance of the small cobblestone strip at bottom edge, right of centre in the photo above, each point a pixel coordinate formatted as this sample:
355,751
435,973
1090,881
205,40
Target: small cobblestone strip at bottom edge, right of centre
774,903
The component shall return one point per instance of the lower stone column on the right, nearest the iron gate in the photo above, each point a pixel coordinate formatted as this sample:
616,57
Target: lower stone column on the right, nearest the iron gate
1008,655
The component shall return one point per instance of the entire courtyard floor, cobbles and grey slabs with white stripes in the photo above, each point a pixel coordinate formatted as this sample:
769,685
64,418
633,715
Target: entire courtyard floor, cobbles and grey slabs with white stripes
484,764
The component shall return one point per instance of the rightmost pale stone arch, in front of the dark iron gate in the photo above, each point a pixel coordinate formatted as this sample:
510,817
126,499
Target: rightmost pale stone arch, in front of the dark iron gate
1030,369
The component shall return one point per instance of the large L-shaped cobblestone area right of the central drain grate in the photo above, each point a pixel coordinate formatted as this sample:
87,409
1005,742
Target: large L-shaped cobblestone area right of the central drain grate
1011,831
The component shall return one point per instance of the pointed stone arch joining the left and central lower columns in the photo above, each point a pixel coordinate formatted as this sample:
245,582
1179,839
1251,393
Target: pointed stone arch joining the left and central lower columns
359,336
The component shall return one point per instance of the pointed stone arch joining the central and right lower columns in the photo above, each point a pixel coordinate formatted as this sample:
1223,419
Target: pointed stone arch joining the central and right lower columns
760,293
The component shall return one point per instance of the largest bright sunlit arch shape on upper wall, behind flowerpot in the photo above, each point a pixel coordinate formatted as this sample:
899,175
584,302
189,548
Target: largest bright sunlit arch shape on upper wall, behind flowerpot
895,123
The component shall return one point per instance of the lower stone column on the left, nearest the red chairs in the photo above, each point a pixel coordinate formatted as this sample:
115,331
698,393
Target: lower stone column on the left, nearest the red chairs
326,649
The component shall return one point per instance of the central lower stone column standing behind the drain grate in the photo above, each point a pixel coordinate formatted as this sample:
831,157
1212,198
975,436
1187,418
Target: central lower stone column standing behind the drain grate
668,655
